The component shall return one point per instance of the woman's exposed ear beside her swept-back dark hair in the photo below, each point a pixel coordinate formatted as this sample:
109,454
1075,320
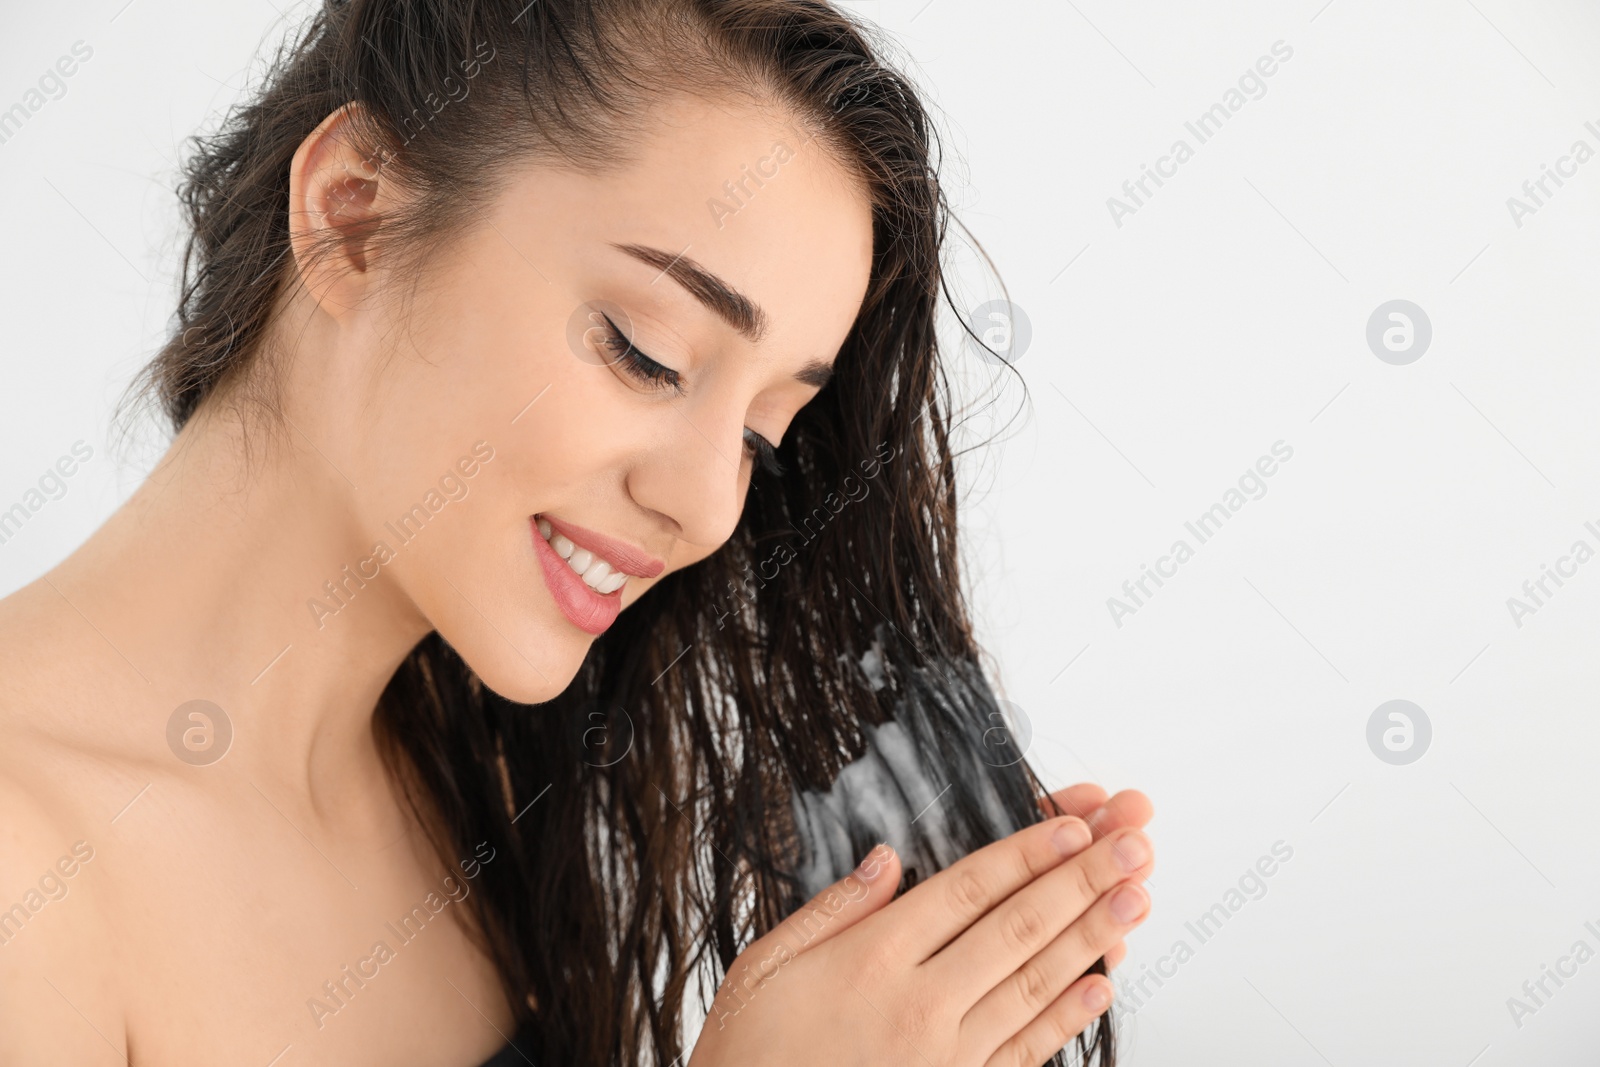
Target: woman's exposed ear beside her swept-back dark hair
337,193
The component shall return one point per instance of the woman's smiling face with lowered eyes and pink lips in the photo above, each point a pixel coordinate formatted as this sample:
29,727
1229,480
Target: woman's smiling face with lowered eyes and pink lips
511,401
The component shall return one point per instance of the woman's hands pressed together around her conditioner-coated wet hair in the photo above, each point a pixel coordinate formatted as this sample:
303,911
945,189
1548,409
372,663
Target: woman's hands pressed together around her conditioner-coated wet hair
982,964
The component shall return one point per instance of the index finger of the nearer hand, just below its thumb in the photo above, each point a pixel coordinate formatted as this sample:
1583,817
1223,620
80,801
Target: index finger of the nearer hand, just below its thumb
937,911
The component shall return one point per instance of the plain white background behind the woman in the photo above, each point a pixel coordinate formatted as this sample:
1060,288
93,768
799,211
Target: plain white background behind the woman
1167,356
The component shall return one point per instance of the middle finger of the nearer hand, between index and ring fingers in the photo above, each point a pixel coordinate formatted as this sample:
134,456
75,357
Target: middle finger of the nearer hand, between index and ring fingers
1009,937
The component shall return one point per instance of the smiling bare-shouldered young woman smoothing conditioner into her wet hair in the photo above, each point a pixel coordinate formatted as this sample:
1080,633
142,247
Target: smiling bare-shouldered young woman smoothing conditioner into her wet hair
561,513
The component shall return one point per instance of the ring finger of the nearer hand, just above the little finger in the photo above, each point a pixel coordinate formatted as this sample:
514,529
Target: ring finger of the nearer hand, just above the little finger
1030,993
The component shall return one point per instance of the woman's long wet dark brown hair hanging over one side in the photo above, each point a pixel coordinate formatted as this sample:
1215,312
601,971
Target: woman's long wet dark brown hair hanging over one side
666,777
